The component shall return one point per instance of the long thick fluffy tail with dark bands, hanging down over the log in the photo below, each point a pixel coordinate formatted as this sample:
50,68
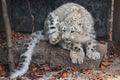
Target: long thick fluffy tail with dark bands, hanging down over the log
25,57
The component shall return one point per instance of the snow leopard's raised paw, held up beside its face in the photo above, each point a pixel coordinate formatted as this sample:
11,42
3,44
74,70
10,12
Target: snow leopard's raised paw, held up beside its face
54,38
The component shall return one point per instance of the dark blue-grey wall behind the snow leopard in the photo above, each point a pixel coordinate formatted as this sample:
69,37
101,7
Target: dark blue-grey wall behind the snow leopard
21,19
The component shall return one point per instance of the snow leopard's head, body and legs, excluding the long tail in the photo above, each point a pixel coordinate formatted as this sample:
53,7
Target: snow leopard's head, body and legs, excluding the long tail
74,29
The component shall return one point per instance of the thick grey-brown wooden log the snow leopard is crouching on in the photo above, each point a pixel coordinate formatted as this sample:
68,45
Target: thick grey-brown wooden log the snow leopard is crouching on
46,53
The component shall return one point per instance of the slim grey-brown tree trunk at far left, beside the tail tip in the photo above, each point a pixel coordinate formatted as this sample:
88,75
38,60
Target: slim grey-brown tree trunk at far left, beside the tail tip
8,33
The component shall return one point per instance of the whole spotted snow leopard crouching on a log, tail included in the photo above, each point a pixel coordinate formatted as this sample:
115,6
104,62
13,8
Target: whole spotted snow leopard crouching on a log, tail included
72,27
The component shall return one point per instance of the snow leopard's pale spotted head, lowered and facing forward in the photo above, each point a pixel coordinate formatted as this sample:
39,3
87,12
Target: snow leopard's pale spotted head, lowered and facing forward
70,33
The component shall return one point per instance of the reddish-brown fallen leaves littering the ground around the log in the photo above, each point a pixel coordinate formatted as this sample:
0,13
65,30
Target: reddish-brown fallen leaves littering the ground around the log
57,72
